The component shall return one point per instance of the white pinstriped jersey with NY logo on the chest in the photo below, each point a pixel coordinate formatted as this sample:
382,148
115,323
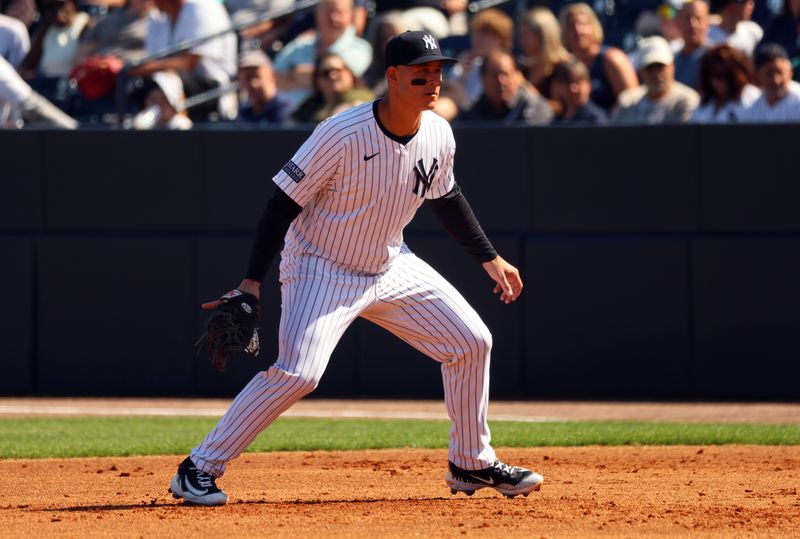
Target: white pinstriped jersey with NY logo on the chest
359,187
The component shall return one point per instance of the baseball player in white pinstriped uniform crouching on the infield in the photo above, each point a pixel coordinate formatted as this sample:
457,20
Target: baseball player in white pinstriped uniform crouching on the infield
340,207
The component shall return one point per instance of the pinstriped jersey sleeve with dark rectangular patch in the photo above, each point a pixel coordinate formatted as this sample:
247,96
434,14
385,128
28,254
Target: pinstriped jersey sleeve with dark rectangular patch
312,166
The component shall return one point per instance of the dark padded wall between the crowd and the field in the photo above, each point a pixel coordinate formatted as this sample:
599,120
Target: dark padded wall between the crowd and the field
658,262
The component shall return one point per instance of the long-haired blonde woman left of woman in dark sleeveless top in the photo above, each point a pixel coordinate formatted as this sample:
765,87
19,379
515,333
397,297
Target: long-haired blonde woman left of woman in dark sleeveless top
542,51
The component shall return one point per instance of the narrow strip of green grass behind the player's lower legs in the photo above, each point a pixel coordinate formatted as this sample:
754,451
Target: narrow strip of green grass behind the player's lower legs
83,437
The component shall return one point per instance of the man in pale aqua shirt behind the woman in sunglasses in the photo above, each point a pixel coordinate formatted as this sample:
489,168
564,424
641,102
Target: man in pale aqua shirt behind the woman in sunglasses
335,33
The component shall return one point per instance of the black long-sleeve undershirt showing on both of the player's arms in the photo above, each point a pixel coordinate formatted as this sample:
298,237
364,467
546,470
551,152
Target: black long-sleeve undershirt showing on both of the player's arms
452,210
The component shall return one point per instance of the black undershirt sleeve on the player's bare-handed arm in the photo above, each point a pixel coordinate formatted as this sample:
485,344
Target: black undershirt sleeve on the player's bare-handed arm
457,217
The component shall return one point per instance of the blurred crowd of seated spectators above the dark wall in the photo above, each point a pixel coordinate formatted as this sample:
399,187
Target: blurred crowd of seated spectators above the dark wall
534,62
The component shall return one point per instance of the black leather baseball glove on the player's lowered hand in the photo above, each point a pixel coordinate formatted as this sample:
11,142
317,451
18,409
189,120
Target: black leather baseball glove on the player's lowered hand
231,329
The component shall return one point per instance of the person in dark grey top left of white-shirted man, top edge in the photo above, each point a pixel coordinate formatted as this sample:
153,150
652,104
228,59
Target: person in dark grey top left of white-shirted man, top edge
121,33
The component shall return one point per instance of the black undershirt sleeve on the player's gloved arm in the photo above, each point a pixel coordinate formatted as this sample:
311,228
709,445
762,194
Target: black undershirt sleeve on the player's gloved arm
281,210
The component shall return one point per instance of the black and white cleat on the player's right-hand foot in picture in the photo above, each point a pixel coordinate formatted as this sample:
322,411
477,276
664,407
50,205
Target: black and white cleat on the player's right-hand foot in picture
507,480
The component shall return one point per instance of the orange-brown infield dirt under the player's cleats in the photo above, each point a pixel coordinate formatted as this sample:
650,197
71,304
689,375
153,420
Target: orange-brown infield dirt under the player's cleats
711,491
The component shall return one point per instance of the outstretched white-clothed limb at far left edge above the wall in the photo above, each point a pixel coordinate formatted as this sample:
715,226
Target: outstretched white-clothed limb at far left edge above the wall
20,103
